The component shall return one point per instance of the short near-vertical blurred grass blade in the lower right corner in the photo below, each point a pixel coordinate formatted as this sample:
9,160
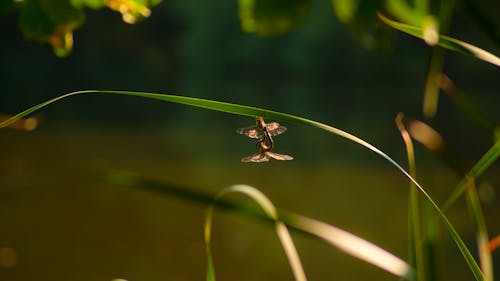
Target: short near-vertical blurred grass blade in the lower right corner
476,213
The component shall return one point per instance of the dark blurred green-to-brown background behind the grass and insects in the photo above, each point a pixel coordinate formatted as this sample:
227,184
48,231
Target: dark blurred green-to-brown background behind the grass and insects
60,220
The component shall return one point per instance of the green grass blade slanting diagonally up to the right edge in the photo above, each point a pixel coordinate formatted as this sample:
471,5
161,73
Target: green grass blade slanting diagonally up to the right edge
477,170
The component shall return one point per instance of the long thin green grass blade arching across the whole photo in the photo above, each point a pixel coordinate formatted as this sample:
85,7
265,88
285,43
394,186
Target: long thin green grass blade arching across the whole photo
255,112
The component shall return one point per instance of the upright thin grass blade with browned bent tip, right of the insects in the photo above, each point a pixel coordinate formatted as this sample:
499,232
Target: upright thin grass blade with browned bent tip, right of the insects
414,221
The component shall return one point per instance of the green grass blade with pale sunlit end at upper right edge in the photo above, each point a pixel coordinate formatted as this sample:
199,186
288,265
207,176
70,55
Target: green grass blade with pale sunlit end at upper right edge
445,41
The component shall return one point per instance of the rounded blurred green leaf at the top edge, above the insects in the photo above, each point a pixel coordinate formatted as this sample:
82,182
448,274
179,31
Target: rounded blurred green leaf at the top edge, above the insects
272,17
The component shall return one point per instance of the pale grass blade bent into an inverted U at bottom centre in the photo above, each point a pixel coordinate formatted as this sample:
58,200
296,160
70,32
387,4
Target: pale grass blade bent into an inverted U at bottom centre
271,212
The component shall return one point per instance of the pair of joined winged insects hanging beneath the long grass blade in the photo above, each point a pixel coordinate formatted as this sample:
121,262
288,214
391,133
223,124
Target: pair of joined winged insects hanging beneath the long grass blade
263,133
